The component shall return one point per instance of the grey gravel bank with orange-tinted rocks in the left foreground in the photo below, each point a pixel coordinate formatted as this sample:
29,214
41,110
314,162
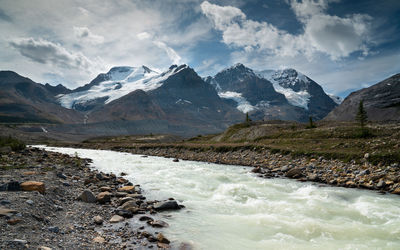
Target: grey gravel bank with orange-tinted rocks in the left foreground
54,201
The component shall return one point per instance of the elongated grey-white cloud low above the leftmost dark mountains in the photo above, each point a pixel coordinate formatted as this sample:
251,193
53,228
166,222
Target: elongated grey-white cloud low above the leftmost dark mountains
46,52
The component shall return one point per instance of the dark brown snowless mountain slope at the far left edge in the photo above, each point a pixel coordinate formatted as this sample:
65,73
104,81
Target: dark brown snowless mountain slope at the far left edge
22,100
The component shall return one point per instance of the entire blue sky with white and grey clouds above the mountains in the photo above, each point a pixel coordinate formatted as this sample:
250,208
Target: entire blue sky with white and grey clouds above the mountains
342,44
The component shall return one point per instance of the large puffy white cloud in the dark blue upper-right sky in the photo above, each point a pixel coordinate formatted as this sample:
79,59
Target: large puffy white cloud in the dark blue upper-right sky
322,33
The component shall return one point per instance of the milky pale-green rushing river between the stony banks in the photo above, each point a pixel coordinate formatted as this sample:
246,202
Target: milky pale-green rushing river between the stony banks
229,208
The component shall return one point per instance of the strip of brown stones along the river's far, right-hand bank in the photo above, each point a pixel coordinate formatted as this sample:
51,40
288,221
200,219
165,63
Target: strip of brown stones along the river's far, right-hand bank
385,179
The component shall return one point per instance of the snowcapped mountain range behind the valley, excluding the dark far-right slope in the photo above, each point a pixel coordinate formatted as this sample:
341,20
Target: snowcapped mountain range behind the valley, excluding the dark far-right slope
138,100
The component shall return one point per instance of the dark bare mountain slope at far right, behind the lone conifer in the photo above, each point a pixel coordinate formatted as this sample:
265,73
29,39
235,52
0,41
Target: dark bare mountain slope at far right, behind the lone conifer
381,101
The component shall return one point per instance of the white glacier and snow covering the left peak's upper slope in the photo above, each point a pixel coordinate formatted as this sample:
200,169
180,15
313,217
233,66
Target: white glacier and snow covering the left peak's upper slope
118,82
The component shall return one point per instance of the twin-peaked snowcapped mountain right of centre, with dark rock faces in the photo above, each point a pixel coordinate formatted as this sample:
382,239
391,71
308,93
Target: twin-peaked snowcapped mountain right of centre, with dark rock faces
272,94
